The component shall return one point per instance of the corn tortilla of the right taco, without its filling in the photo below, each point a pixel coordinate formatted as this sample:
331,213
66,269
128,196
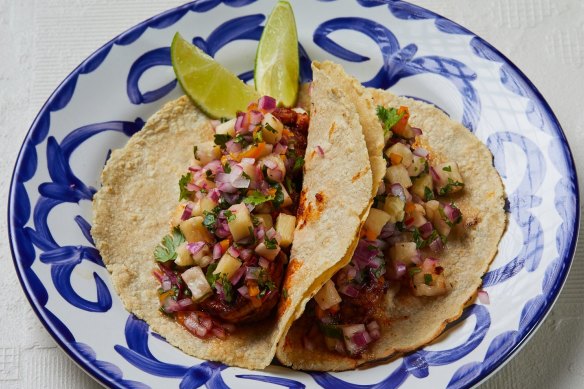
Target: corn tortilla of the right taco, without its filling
415,321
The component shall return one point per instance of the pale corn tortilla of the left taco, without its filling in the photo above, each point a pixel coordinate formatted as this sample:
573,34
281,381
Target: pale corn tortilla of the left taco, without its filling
139,193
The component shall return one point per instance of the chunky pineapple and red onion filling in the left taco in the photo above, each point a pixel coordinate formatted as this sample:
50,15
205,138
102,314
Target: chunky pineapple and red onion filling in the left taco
224,259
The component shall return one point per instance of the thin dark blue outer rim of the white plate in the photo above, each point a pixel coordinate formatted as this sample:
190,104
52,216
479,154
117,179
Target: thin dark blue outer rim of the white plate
175,14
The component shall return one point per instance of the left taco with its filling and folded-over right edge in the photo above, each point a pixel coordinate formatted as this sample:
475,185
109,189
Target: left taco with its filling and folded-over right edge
207,273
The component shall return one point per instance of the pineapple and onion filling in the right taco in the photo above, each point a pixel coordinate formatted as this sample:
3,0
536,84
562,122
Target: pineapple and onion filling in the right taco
410,222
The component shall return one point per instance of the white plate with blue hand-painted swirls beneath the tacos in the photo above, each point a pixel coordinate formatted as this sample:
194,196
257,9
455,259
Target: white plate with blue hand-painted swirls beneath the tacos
58,169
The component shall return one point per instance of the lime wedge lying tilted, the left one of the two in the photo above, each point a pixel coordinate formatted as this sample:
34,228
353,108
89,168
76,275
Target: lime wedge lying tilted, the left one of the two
214,89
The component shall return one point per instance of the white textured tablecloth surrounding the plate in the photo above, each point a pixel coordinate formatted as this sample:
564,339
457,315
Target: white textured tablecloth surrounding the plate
42,41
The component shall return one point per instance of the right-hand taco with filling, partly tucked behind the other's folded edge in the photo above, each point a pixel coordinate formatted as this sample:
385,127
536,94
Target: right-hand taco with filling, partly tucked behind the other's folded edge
431,234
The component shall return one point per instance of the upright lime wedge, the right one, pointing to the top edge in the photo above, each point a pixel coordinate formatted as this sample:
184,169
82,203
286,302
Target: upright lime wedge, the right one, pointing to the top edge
277,64
